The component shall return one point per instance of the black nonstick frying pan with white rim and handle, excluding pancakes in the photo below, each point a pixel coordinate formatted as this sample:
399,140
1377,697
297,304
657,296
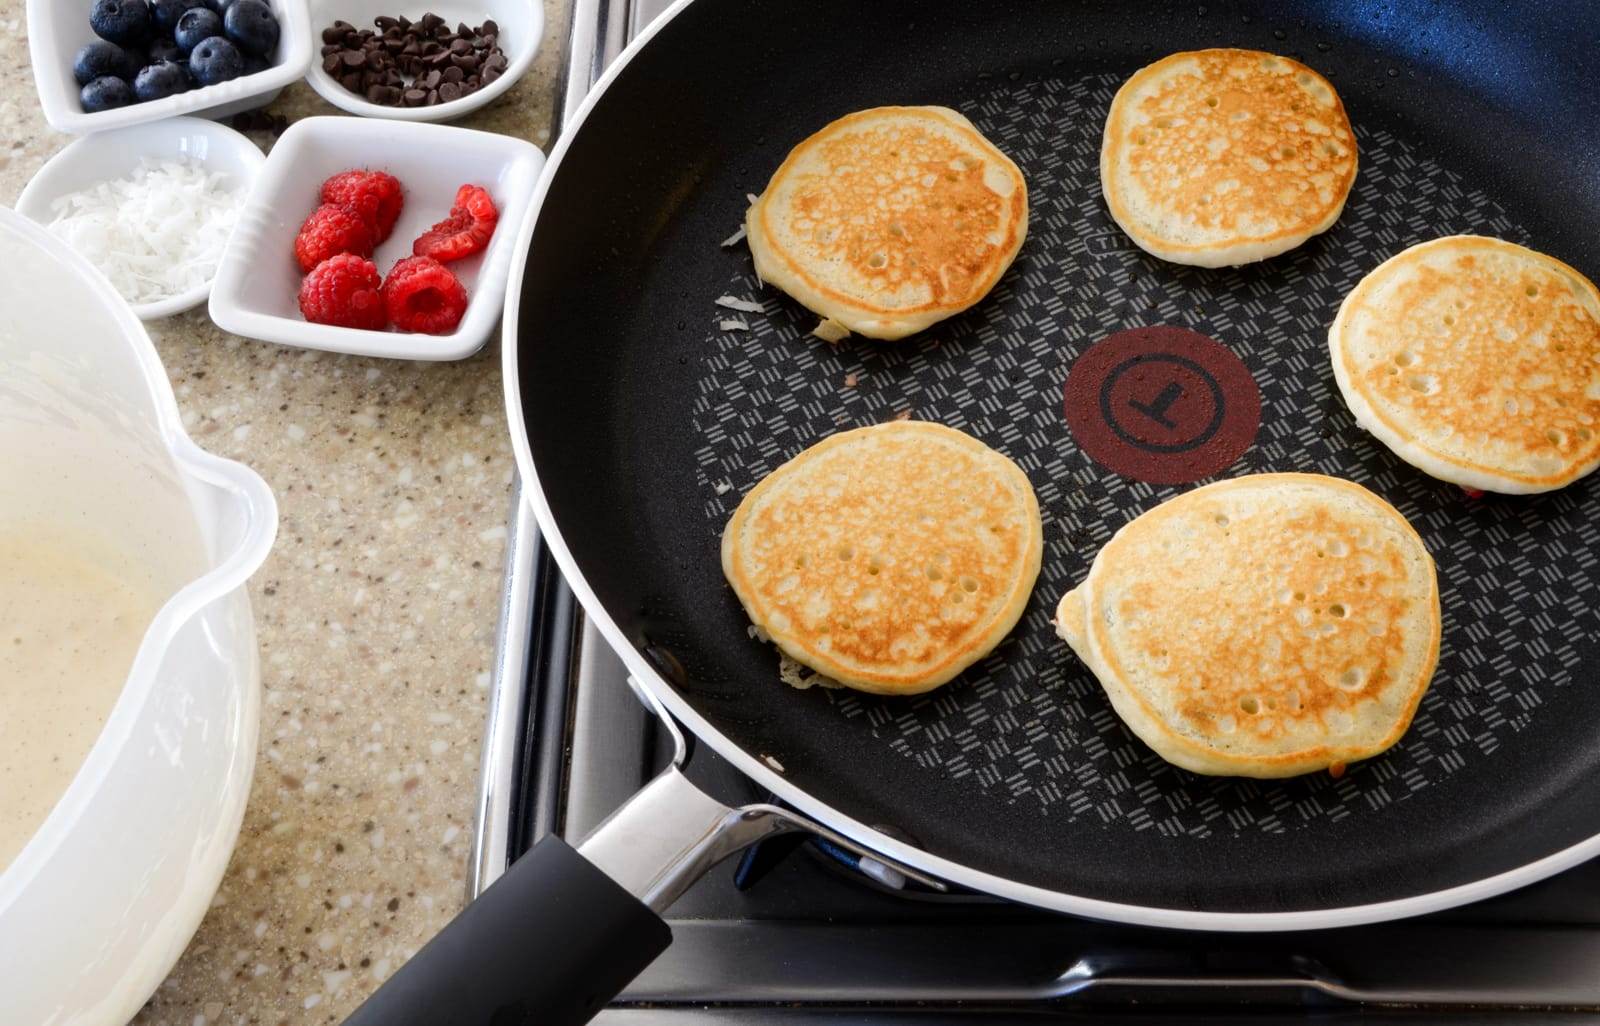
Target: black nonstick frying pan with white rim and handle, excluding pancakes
639,423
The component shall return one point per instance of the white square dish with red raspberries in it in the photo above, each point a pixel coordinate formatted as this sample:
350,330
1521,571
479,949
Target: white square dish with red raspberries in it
378,239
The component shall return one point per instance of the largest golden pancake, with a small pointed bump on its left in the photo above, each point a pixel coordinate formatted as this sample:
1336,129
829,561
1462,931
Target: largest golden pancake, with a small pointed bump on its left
1262,627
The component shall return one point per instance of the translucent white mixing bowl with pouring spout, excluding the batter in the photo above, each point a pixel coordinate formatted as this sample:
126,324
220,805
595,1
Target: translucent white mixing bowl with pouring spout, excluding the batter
108,892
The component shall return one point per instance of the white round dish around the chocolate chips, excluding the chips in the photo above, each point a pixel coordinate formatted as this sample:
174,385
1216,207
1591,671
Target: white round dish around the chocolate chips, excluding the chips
521,23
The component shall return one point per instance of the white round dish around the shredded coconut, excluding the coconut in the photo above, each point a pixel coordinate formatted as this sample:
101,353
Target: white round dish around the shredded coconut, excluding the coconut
116,154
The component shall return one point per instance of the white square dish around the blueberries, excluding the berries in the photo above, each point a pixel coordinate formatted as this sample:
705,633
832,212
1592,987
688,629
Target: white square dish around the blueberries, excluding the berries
57,30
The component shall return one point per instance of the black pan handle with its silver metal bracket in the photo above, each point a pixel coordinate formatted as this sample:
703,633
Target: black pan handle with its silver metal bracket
564,932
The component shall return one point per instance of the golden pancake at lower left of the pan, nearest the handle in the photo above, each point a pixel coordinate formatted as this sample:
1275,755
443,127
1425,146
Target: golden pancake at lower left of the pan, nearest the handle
890,558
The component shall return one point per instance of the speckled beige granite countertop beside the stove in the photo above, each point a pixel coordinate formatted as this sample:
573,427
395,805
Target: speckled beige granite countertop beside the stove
377,615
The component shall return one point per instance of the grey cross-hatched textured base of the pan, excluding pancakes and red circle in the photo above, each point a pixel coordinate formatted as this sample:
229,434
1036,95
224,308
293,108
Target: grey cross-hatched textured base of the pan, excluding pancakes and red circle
1030,724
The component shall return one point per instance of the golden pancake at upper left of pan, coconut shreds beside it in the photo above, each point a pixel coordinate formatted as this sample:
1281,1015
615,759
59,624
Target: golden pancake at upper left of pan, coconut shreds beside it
890,220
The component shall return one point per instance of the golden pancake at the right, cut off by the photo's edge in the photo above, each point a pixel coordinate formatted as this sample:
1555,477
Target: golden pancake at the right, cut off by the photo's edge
1476,361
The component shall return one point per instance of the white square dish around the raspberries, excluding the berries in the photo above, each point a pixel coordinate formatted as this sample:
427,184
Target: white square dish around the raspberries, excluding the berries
257,291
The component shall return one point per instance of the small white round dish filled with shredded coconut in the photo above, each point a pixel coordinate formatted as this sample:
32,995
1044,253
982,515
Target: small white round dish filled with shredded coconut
151,207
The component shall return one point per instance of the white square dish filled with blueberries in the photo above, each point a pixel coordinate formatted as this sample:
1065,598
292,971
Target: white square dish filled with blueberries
114,63
